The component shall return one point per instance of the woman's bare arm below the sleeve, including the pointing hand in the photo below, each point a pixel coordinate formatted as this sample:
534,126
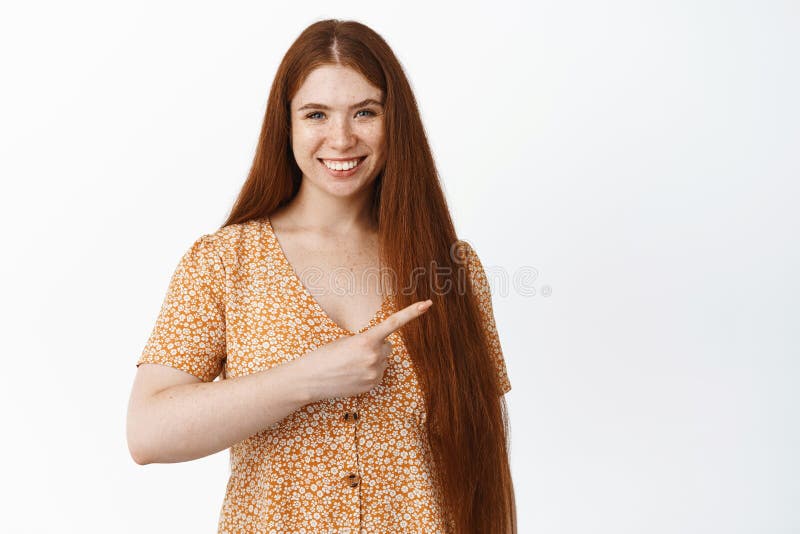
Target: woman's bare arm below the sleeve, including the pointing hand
174,416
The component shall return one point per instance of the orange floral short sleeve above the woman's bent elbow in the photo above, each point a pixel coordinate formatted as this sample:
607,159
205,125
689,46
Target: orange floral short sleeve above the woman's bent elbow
189,333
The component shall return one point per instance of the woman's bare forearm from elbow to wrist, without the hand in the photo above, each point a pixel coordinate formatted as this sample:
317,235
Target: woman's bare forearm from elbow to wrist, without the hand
191,421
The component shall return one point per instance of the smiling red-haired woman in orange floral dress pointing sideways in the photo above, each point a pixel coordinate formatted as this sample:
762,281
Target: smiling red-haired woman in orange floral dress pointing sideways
339,418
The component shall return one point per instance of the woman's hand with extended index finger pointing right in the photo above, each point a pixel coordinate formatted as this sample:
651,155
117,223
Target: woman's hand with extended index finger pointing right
352,365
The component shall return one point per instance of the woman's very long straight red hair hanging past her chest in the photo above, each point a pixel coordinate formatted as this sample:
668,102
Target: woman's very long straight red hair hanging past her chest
467,422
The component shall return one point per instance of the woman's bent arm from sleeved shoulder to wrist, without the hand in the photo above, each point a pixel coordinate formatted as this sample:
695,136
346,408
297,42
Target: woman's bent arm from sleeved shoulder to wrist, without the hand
176,411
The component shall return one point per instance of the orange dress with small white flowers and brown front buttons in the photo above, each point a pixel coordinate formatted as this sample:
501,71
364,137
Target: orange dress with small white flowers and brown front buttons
235,306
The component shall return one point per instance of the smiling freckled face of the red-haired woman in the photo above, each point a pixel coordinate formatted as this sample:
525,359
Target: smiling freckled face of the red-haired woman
337,122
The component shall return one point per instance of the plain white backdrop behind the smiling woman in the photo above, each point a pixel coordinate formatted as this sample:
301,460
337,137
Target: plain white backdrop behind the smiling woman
641,156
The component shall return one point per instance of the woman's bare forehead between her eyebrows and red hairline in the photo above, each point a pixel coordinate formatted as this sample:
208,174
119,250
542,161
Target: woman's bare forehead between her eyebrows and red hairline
335,86
